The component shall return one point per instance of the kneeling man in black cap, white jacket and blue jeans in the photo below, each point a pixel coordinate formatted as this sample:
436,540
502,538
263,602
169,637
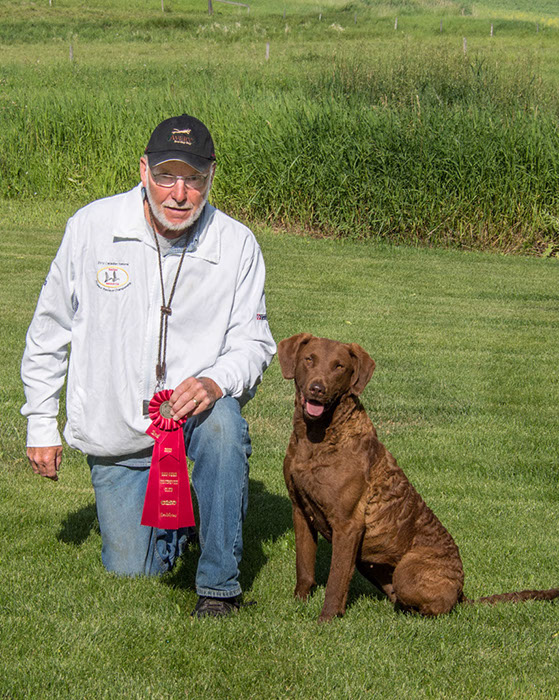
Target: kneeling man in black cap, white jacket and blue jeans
154,289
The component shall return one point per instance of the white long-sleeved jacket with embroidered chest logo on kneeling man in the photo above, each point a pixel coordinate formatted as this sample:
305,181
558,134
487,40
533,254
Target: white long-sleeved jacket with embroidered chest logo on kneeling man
102,297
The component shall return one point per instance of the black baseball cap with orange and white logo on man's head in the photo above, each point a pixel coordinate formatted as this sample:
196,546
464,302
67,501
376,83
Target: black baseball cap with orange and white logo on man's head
181,138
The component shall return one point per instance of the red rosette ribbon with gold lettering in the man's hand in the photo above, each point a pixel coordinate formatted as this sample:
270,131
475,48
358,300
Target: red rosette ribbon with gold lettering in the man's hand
168,503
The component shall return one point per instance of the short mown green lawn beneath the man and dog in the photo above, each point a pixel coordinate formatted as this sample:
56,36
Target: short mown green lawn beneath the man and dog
465,394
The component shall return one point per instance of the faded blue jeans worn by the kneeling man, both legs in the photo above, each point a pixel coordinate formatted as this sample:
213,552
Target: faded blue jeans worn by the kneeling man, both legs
218,443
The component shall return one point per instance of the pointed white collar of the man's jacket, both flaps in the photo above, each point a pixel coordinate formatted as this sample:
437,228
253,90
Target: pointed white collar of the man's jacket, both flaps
131,224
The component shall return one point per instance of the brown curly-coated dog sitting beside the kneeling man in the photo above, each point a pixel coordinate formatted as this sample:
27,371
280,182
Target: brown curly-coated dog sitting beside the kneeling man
345,485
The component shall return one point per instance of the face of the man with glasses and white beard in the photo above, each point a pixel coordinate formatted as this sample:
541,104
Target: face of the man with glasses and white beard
174,208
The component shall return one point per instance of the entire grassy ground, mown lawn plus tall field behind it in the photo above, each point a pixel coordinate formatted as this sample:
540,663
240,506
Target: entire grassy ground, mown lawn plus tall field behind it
390,157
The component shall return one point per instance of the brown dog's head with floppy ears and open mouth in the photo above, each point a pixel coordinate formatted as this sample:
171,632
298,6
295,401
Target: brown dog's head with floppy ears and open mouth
324,370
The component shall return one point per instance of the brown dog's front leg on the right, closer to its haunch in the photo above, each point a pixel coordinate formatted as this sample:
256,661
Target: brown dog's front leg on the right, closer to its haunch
345,543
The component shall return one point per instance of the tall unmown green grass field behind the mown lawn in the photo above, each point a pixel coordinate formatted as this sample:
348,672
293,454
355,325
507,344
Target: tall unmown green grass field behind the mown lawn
350,129
